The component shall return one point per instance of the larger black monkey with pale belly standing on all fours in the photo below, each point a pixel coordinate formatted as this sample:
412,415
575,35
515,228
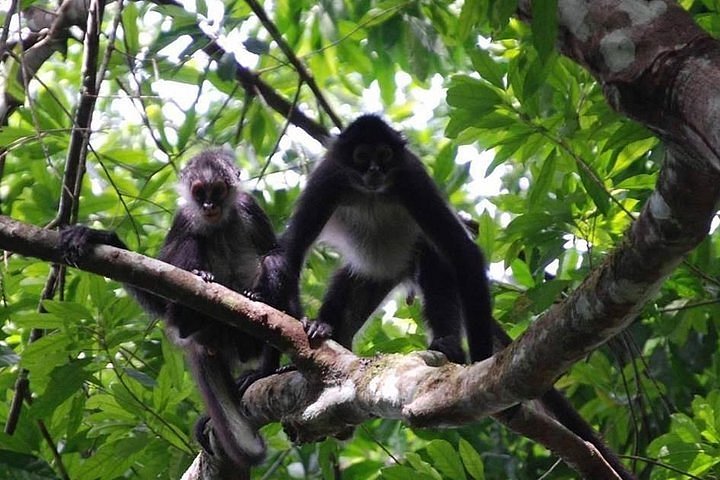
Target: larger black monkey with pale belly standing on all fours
371,198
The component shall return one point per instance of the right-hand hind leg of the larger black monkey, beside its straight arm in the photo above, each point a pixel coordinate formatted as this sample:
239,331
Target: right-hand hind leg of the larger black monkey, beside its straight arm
441,304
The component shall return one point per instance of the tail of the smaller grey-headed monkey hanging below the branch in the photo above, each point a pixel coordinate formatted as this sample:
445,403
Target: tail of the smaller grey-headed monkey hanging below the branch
240,442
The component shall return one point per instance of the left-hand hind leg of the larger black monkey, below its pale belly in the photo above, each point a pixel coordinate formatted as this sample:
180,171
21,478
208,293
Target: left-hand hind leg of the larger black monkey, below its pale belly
348,303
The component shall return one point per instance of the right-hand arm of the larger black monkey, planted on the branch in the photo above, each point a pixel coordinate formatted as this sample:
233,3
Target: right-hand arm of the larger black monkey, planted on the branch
442,227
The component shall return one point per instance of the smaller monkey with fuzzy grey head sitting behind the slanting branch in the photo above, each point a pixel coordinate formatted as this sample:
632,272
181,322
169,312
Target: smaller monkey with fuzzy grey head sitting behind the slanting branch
221,234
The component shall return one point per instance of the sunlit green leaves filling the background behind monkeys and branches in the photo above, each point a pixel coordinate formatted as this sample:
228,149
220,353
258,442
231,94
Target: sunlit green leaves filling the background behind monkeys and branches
460,78
